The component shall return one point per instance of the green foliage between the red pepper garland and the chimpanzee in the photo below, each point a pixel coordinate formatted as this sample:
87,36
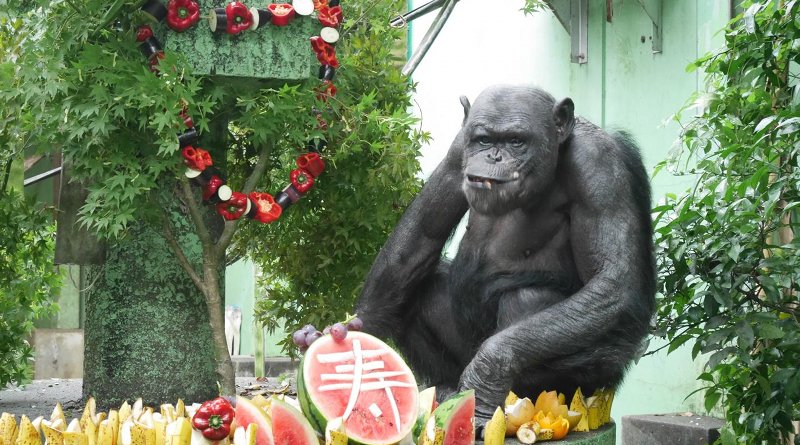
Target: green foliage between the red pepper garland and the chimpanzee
316,257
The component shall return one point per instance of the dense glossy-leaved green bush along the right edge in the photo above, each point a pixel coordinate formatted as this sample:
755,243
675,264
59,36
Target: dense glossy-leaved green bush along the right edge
729,260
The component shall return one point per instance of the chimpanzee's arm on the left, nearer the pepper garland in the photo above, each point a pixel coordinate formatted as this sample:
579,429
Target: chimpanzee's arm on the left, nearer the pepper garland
413,250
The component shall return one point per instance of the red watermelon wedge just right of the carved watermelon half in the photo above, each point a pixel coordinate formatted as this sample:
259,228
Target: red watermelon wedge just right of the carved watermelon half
452,422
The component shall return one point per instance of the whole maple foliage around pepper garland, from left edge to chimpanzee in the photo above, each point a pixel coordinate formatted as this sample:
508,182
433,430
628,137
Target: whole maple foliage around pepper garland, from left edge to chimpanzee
80,85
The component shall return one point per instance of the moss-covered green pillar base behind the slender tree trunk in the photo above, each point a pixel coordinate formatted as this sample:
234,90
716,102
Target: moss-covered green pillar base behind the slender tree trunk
147,332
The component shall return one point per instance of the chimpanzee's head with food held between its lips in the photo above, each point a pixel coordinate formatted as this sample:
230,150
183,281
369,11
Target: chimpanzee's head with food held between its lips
512,137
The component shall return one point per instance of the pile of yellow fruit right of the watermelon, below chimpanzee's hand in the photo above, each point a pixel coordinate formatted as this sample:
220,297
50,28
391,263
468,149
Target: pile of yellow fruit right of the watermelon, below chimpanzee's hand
549,418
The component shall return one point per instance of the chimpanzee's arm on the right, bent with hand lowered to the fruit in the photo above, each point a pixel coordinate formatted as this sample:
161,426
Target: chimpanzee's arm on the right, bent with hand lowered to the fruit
611,239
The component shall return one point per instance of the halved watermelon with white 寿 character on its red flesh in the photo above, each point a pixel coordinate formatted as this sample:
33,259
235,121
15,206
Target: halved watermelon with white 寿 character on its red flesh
363,381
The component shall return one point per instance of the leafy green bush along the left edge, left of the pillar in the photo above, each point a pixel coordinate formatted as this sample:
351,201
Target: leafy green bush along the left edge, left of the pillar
28,280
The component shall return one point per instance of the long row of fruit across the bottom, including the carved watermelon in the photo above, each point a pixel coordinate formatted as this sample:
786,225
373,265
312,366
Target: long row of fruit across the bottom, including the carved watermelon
351,388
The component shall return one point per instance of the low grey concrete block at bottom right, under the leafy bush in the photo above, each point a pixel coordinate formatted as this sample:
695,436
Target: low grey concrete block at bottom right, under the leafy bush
670,429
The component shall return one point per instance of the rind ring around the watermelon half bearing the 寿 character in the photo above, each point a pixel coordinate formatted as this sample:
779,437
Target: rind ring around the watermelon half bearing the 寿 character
315,416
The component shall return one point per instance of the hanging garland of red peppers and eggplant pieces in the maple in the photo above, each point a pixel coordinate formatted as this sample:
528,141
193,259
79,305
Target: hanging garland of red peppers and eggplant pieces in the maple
235,18
